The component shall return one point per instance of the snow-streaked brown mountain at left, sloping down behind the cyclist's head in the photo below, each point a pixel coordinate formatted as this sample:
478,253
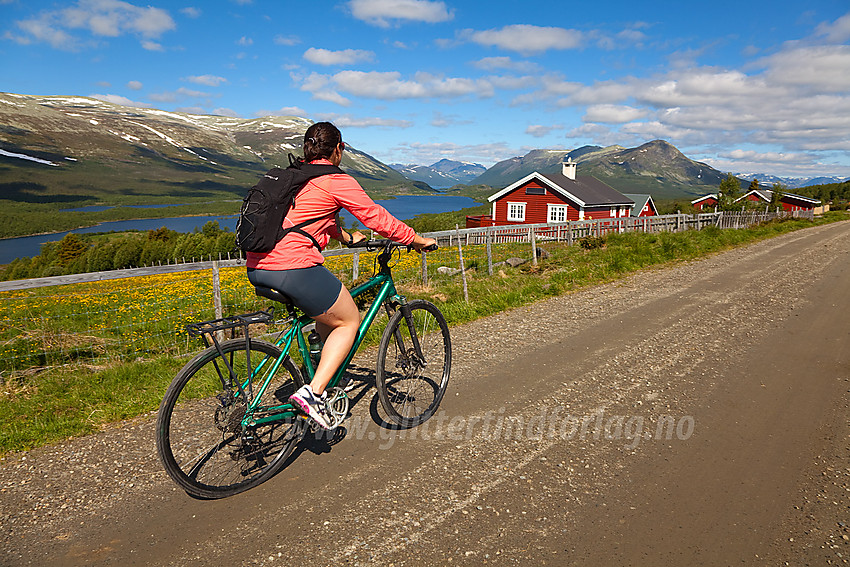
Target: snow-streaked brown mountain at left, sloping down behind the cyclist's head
75,149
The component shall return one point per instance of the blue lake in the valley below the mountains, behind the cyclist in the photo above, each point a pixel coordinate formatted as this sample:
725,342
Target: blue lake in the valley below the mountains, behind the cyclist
404,207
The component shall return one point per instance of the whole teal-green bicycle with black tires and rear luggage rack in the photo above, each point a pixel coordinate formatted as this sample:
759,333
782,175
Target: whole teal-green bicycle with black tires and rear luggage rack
226,424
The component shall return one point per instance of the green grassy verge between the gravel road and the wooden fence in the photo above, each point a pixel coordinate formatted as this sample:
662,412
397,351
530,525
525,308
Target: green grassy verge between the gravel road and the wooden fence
49,407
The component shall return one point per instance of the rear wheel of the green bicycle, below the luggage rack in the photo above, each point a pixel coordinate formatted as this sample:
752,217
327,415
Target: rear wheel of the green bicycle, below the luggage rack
199,436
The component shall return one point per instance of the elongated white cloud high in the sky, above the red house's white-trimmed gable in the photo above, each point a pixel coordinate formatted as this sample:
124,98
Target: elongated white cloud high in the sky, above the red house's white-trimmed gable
528,39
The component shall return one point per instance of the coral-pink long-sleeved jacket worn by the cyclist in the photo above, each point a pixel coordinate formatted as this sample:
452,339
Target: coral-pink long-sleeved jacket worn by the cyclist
324,197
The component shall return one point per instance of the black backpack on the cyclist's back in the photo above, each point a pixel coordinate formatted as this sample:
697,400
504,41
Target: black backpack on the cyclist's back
260,224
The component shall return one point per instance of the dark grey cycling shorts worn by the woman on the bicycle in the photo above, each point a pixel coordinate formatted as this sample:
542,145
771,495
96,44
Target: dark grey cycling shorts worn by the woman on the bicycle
313,290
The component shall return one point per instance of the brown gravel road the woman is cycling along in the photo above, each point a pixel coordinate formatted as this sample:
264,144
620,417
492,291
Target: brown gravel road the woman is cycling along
691,415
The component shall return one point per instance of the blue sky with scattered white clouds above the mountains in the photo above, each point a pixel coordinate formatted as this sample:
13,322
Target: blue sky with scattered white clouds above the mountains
747,86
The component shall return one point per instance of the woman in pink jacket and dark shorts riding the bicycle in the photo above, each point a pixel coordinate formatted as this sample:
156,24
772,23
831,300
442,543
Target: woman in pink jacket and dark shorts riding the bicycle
294,267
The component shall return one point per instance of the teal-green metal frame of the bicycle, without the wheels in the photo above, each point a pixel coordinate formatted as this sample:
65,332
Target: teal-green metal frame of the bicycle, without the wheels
386,295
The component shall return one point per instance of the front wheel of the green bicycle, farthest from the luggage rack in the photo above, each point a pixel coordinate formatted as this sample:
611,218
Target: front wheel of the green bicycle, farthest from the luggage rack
409,391
